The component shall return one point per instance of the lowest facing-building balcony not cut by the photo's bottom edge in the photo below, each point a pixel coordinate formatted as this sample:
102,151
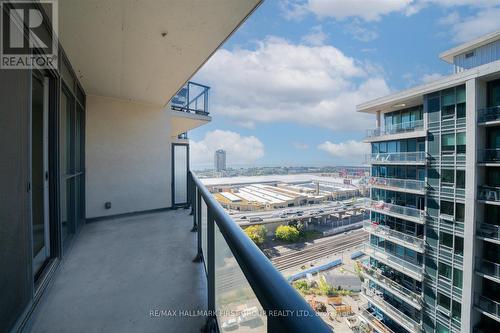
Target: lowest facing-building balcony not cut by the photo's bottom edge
407,295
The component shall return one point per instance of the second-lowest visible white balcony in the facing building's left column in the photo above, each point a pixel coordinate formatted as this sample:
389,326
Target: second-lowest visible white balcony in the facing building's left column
374,296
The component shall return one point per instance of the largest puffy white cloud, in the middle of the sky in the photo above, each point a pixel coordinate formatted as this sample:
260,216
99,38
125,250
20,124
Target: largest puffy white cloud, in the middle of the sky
283,82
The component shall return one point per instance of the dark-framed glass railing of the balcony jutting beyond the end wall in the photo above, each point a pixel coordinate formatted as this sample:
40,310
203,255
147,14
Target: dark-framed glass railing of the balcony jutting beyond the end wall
192,98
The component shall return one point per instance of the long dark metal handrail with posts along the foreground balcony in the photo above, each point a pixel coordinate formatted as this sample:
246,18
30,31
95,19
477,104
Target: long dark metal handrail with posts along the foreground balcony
273,292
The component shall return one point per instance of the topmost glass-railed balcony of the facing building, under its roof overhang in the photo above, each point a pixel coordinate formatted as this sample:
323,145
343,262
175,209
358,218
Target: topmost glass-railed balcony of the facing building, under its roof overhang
407,130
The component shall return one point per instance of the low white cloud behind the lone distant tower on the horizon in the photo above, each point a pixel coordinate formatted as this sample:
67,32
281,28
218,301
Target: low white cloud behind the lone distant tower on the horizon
239,149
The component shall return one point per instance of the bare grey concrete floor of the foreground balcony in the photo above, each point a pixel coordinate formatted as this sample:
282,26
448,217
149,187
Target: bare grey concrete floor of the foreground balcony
119,270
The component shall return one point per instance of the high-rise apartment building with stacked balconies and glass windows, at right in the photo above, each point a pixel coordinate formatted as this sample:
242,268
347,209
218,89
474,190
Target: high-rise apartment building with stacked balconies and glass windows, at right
434,249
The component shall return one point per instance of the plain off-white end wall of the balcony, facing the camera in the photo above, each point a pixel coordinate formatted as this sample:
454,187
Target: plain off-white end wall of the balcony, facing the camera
128,156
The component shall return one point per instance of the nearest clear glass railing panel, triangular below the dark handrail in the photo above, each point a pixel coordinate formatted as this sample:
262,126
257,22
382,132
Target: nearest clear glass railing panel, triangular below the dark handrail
238,309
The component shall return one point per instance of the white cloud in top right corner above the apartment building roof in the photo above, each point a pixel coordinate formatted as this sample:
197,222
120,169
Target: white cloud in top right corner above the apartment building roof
463,29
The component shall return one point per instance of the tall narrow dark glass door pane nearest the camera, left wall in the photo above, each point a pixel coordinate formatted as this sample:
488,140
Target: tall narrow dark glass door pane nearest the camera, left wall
40,171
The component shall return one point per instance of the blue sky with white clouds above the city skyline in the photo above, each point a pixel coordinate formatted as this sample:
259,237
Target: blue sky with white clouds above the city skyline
285,86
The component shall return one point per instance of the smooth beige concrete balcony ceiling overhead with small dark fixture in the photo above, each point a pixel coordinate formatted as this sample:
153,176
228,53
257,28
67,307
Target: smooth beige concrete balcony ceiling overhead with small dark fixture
144,50
